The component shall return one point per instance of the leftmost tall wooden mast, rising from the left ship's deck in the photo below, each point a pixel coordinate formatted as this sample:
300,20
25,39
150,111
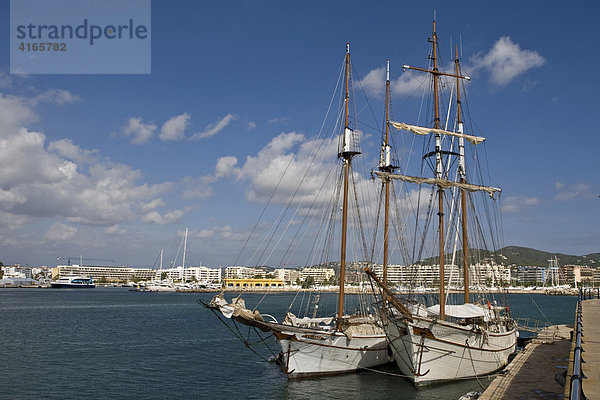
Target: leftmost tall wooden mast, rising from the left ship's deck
346,152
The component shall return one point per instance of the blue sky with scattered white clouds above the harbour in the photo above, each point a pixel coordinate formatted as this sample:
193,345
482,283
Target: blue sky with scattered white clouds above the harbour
116,166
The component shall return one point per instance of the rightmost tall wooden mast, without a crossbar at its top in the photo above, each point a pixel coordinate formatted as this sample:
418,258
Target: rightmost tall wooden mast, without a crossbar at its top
463,179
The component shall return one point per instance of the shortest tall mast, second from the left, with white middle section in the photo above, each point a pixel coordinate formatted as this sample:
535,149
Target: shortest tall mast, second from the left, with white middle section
385,165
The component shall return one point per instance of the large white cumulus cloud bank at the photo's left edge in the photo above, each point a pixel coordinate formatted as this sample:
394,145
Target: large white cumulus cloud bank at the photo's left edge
61,179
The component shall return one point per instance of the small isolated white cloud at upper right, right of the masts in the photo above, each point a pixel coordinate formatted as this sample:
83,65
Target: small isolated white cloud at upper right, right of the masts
506,60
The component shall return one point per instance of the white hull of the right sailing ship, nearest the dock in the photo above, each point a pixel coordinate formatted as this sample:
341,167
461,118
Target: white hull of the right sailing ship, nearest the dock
429,351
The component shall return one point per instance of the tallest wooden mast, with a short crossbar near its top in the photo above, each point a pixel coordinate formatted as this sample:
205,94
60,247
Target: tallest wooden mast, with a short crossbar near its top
438,160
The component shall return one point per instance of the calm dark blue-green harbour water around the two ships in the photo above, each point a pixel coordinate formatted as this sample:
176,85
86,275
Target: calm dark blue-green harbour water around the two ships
111,343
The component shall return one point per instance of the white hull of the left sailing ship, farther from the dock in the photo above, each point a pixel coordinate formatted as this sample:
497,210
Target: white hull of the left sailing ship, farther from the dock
311,353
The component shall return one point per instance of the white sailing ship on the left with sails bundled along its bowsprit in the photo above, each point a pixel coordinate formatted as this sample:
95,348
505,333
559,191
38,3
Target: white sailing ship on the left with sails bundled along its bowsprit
313,346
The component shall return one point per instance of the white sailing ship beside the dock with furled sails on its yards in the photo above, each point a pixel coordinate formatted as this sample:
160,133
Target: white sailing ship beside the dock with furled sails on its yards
443,342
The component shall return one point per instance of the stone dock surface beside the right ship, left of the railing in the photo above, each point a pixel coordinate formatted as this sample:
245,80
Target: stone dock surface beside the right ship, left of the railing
534,372
